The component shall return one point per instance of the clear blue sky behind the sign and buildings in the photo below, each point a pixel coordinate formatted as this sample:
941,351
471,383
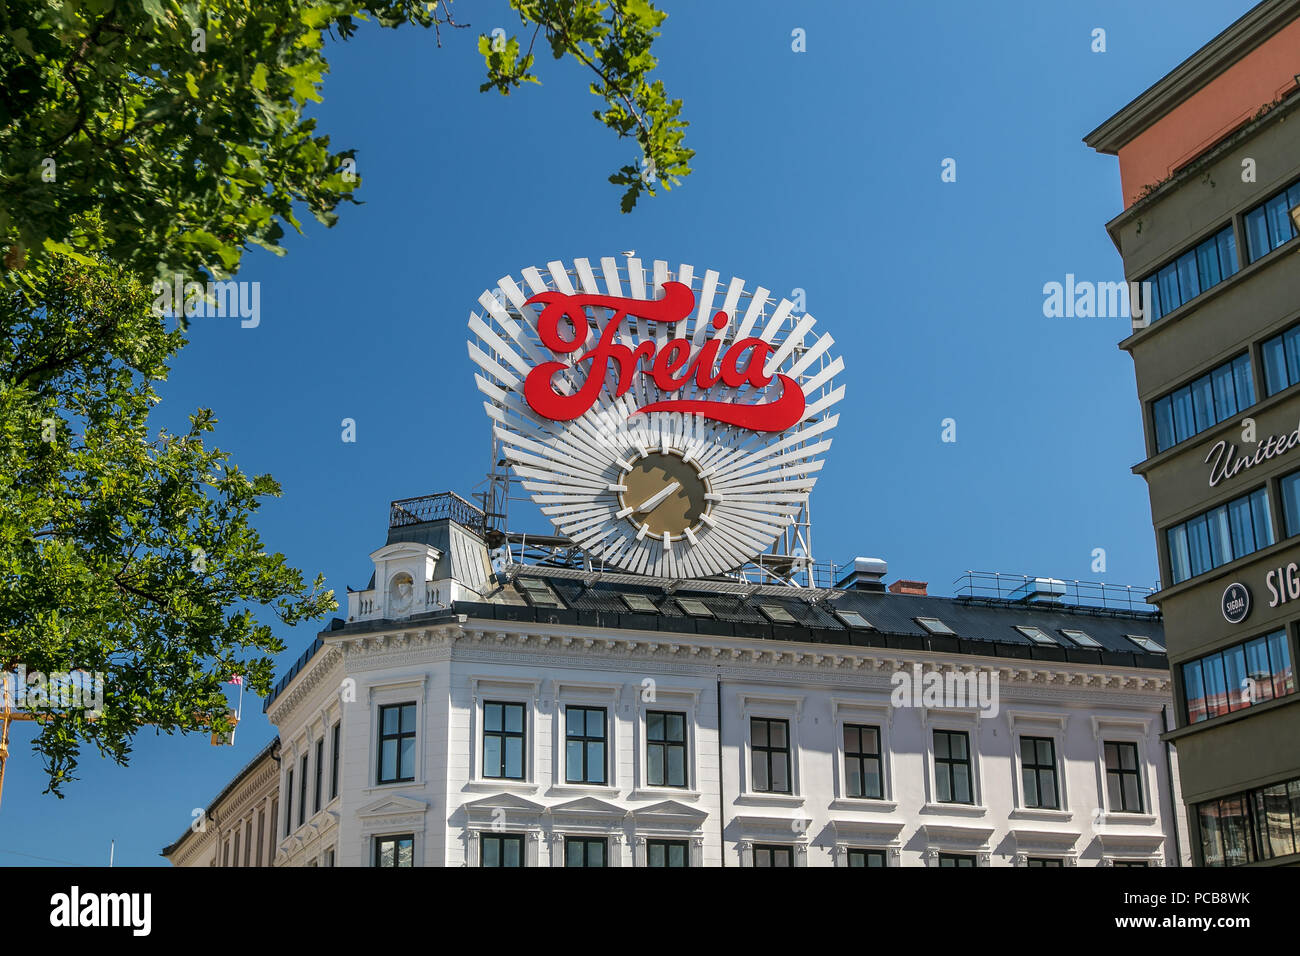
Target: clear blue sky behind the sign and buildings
817,171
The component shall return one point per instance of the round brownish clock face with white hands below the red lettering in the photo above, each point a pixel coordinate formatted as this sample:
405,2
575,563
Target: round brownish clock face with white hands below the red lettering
664,495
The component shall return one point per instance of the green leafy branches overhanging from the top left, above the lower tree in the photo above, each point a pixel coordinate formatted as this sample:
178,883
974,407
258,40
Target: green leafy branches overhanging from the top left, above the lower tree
183,124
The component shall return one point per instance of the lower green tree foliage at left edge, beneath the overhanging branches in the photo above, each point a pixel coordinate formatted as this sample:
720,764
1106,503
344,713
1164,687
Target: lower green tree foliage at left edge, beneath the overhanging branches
122,551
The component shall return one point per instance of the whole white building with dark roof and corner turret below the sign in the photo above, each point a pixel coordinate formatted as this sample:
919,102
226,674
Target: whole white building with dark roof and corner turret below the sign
465,716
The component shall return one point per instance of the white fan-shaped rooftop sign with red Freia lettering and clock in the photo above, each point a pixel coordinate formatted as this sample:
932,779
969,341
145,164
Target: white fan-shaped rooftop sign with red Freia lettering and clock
703,435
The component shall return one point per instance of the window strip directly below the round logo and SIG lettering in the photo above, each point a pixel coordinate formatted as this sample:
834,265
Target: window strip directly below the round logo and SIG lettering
1240,677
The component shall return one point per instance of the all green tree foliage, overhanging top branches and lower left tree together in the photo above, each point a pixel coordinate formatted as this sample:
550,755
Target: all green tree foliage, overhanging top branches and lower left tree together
148,139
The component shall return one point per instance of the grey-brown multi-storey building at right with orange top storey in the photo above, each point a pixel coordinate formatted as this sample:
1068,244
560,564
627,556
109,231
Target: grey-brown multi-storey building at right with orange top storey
1210,161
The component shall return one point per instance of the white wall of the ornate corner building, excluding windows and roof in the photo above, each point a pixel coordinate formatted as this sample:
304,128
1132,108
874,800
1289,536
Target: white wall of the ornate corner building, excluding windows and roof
450,671
